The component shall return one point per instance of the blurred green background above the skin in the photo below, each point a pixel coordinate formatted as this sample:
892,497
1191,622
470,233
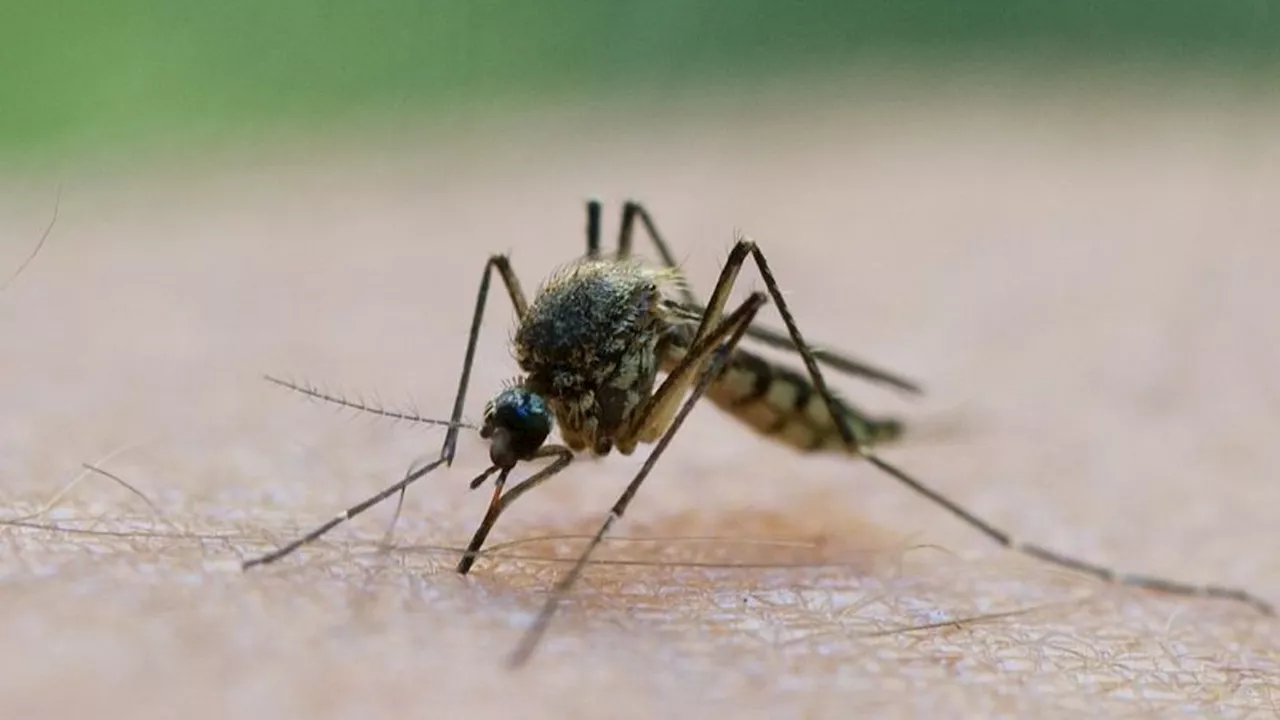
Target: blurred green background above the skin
83,76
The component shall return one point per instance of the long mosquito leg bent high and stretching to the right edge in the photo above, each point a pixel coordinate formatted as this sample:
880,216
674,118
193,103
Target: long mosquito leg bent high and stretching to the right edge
1173,587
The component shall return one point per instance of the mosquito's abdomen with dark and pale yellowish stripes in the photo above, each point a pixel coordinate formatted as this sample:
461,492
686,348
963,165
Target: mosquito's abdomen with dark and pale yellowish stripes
783,404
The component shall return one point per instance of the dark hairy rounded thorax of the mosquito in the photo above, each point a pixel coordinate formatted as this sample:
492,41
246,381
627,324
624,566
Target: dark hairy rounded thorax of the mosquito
591,347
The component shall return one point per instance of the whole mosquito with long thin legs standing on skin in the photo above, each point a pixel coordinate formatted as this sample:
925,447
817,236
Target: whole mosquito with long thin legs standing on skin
592,344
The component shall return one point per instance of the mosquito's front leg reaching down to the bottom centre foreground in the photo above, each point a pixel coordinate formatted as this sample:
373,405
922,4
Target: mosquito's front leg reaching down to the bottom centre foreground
717,348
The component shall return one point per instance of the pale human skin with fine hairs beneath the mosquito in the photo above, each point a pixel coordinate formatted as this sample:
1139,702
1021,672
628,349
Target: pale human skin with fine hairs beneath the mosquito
1085,289
